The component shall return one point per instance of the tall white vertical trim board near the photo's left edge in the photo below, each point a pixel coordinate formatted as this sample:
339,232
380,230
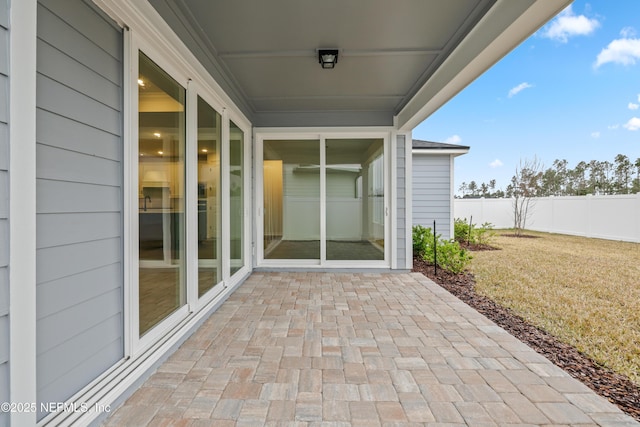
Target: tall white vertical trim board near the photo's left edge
22,208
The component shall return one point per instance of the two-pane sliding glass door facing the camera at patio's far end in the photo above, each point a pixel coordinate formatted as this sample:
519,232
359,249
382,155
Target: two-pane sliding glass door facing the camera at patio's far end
323,201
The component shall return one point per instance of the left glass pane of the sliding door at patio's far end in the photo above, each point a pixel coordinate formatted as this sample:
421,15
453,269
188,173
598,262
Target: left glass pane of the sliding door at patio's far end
291,199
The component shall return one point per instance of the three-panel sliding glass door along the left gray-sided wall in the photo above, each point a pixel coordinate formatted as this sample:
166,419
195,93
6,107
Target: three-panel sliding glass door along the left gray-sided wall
190,200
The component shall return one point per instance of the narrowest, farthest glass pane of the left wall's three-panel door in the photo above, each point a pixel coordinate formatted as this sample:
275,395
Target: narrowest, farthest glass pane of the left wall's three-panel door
236,193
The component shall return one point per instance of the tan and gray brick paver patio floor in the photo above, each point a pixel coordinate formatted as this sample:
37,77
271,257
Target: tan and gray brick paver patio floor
331,349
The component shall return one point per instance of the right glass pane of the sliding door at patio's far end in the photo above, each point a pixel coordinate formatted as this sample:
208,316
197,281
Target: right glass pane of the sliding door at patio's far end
355,199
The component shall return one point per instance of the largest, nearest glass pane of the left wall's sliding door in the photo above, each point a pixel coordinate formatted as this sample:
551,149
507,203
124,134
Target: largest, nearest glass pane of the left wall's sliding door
161,189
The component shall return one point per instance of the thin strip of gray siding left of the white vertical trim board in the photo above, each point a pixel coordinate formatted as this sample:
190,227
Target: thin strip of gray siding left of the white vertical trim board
4,209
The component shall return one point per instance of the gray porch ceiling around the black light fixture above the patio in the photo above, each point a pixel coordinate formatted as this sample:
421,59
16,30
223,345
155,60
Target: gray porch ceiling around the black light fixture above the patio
263,53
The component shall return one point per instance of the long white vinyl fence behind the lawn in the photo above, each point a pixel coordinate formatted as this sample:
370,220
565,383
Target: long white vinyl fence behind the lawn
604,217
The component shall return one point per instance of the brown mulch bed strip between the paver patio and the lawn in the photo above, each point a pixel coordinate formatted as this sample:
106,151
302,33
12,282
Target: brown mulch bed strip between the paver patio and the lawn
617,388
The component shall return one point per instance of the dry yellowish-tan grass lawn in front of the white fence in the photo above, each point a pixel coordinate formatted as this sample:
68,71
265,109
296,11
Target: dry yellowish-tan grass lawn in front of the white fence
584,291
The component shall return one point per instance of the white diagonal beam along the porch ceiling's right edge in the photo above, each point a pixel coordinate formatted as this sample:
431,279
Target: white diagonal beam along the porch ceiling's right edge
504,27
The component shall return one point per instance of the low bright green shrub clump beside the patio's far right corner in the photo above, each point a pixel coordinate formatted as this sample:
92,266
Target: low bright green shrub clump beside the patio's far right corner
447,253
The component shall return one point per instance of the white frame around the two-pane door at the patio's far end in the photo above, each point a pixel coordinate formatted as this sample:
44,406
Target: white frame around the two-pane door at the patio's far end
323,134
